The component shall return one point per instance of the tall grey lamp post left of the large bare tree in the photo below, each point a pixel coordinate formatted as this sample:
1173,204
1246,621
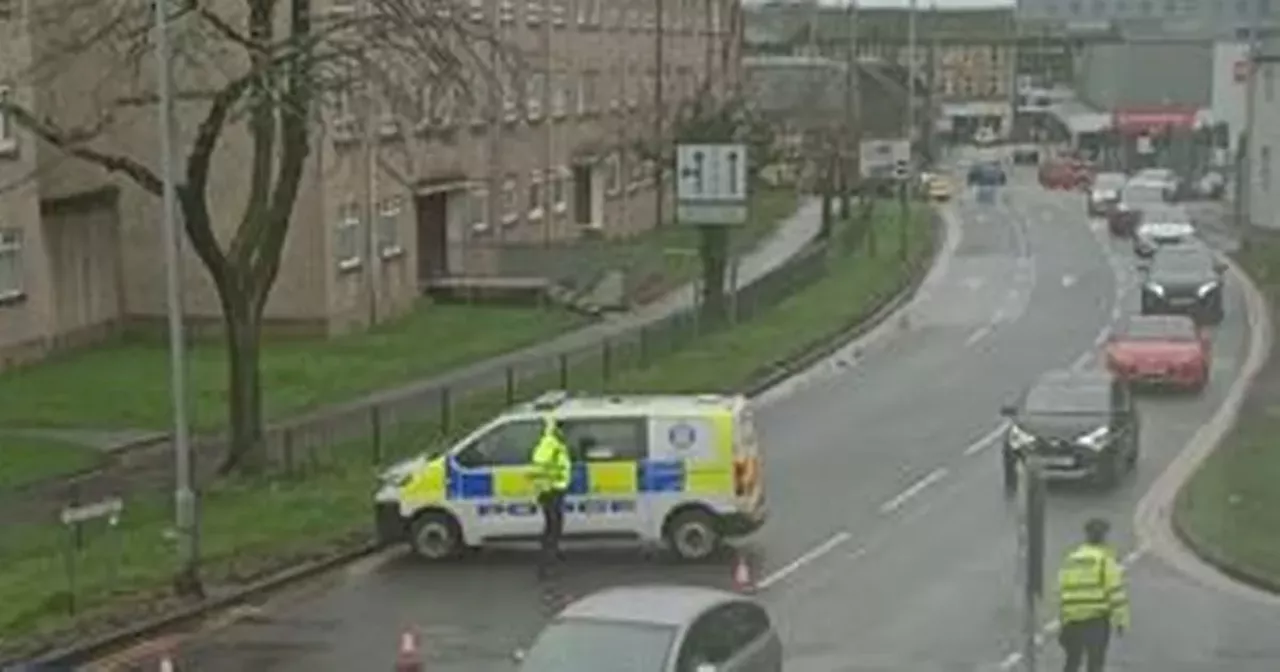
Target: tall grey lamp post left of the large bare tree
188,580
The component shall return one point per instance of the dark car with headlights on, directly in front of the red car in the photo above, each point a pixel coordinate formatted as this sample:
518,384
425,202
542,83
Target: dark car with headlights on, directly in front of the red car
1078,426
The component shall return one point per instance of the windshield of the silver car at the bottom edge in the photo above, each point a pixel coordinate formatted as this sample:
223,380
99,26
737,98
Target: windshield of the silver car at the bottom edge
588,646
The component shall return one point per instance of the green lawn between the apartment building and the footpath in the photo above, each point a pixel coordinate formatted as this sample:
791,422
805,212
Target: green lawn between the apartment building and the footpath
126,386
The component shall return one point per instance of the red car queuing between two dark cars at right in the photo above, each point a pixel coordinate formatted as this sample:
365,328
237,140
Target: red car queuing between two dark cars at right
1162,350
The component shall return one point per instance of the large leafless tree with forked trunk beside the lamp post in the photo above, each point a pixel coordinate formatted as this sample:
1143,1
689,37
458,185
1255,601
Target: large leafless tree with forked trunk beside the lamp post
259,72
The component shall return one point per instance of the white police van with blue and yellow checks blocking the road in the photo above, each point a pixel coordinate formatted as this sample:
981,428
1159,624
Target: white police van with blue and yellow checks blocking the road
679,470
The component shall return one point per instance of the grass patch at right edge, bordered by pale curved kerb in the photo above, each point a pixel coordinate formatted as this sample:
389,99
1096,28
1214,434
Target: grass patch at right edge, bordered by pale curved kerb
1228,511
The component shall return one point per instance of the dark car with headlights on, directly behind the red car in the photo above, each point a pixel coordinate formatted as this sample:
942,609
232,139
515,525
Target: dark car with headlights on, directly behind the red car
1185,280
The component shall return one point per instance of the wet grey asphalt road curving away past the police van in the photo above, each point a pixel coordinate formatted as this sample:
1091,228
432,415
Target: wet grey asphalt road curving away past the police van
892,546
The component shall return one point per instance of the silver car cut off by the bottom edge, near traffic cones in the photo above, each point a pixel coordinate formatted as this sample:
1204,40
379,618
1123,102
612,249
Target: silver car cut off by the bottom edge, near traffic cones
659,629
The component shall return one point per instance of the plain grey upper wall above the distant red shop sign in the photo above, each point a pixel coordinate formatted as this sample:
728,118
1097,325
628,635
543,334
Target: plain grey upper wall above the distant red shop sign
1148,74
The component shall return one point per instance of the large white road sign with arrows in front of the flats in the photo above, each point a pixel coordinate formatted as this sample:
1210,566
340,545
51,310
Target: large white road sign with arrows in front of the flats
711,188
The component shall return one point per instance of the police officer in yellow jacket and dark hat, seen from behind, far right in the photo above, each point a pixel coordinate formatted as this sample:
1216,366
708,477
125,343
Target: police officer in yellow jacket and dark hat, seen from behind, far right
1092,601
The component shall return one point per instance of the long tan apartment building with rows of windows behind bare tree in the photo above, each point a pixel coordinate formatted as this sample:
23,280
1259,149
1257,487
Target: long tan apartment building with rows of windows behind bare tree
423,195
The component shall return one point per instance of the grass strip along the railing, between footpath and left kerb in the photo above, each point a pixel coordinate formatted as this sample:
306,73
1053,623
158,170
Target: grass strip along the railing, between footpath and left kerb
333,501
